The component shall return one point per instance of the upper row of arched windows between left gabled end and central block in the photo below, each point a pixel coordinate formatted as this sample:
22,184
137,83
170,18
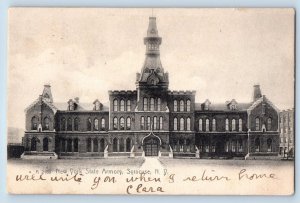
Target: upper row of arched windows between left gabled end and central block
73,124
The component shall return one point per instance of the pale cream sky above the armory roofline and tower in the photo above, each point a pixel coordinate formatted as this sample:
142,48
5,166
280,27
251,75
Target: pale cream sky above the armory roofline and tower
220,53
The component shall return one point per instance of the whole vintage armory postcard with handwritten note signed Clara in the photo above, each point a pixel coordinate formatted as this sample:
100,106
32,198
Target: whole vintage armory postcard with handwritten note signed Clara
151,101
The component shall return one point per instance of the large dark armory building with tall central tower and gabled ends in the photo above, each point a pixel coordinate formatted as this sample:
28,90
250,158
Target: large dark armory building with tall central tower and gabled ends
151,121
